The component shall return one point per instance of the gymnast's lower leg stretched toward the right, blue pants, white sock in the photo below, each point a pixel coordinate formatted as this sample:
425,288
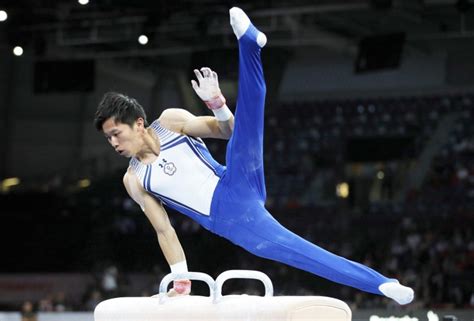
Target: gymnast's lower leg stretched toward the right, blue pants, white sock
265,237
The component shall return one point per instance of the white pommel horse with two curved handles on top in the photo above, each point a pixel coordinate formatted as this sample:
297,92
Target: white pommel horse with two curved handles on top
217,307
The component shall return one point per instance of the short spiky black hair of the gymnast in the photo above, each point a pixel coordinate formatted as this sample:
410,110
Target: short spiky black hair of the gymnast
123,109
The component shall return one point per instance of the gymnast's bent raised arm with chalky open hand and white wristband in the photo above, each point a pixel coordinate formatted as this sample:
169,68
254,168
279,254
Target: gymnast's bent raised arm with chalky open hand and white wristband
219,126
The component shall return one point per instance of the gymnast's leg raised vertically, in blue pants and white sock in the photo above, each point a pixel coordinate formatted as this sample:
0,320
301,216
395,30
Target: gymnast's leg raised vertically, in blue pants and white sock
244,158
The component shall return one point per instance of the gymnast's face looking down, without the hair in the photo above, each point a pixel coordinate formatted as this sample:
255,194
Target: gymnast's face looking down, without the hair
124,139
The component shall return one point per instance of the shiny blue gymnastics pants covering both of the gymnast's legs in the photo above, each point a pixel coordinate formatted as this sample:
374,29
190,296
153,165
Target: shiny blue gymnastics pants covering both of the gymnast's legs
238,212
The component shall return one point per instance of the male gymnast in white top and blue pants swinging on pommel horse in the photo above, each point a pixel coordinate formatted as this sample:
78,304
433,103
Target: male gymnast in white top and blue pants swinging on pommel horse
171,165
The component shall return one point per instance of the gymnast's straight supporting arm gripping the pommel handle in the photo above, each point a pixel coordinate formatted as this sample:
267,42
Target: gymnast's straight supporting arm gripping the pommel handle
167,238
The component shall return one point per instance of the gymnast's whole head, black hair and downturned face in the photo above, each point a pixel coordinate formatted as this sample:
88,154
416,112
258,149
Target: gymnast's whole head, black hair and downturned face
123,121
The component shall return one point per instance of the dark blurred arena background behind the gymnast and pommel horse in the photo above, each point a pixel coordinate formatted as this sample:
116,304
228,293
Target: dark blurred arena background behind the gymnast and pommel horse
369,146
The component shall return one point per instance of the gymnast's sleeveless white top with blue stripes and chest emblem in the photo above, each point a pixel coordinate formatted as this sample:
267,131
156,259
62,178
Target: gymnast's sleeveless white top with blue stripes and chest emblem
183,176
